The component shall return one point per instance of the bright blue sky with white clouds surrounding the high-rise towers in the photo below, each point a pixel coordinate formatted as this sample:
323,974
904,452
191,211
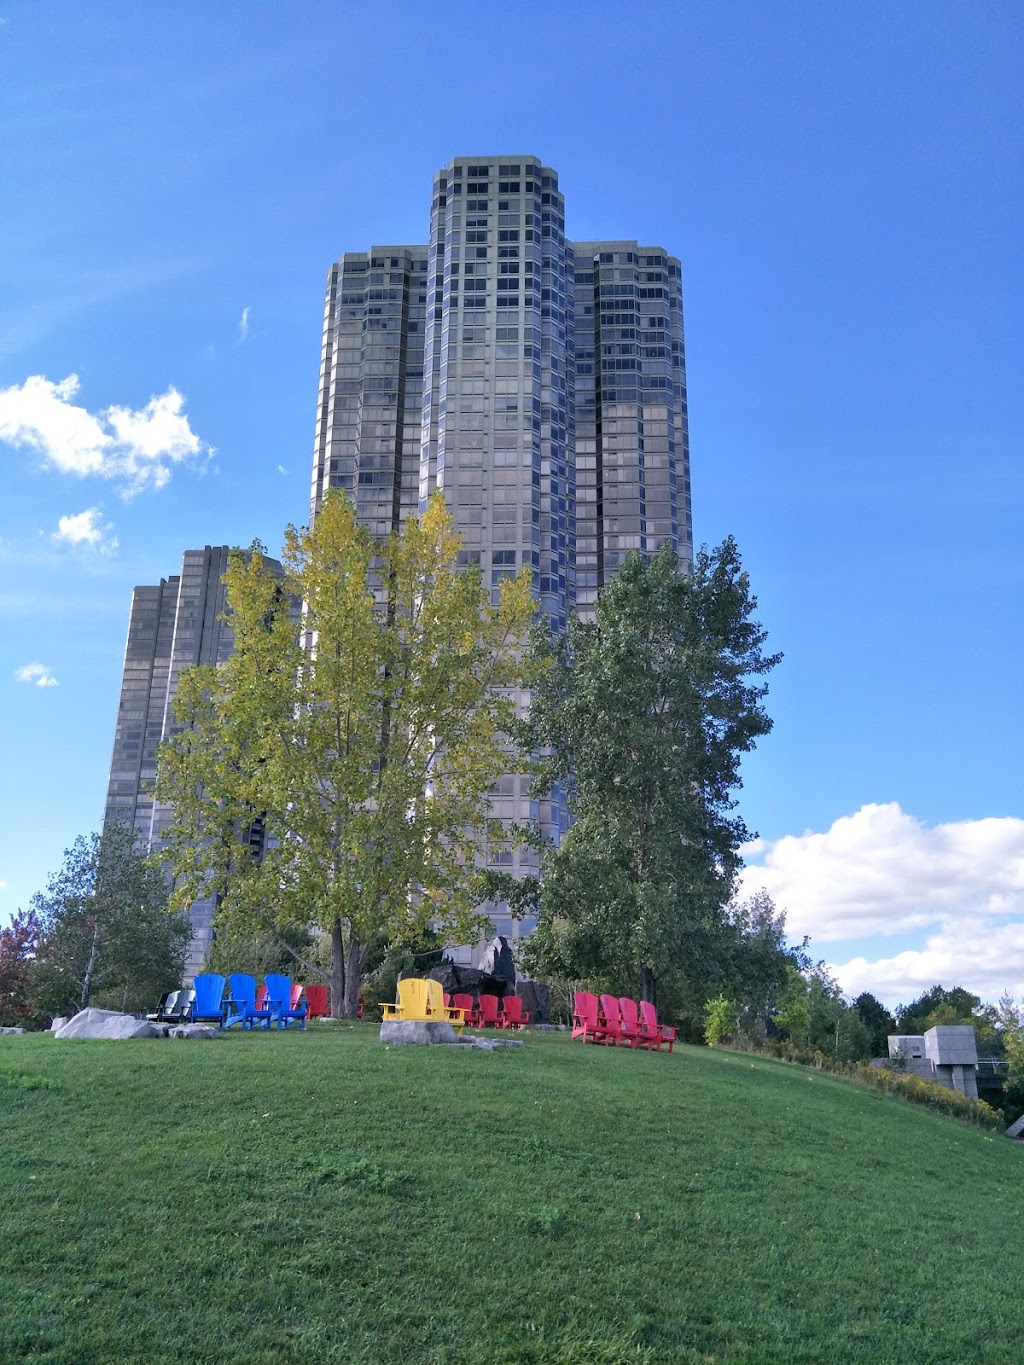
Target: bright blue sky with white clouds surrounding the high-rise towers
843,185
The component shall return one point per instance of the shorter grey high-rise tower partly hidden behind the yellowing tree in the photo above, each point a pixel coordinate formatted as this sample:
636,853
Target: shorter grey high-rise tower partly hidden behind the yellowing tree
174,626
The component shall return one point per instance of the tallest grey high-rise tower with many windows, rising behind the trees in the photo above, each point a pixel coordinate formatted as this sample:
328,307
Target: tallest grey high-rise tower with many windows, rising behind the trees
539,383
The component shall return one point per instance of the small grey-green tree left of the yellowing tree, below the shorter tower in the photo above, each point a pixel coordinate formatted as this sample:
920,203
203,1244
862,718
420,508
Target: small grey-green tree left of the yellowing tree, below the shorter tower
106,934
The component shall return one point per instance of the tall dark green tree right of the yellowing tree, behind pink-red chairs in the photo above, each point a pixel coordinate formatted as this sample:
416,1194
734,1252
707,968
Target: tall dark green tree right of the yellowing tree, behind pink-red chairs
645,715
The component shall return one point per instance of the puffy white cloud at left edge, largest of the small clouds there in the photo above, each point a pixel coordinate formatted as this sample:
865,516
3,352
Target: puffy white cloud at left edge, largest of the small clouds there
139,448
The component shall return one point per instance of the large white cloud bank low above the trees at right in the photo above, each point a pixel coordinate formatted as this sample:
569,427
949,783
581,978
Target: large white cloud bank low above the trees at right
961,887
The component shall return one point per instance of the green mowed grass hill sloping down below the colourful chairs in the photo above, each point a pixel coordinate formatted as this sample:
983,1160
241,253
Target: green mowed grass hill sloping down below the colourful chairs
320,1198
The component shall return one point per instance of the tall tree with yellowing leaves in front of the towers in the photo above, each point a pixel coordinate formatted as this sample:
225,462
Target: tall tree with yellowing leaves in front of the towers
367,745
